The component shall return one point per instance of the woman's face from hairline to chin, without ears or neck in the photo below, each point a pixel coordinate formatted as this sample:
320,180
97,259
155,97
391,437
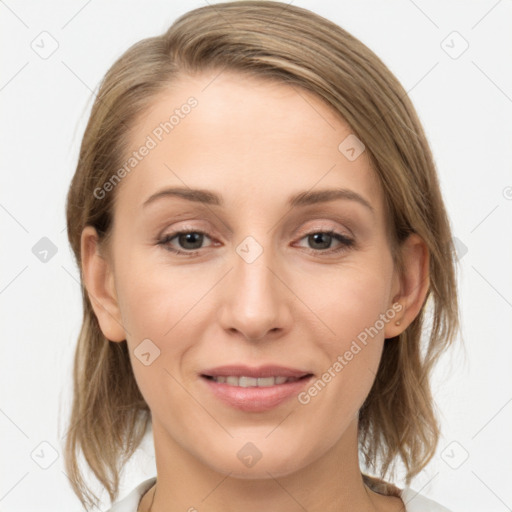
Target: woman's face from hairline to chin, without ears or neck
258,281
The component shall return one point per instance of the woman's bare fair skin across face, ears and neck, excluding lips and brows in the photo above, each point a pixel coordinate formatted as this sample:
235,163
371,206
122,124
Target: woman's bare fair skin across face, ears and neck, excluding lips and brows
256,143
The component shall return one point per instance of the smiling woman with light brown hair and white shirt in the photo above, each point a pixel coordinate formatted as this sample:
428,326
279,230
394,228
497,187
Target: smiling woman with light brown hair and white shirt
260,231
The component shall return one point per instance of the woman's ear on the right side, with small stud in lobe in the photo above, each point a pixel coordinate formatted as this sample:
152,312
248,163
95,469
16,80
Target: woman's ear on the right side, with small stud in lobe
410,288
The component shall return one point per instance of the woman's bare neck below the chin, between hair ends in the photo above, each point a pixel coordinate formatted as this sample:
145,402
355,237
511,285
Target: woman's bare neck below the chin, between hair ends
333,482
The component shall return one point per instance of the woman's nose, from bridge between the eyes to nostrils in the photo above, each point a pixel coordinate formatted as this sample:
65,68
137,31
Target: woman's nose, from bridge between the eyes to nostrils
255,301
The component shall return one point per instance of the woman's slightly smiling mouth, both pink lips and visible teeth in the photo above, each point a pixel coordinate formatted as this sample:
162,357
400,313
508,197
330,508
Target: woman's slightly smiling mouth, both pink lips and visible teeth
254,389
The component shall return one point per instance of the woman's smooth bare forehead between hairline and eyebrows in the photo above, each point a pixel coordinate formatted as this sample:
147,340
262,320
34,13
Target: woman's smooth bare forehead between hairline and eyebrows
245,137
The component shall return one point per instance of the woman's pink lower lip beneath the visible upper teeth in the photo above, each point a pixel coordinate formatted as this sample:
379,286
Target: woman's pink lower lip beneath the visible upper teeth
256,399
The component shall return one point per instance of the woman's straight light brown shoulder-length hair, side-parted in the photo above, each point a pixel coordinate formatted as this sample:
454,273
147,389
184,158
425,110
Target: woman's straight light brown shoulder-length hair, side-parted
271,40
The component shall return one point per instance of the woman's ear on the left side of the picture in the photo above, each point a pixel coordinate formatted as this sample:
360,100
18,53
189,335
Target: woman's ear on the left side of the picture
99,281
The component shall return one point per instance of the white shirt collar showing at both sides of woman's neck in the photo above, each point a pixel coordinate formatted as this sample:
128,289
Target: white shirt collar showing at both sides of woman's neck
413,501
